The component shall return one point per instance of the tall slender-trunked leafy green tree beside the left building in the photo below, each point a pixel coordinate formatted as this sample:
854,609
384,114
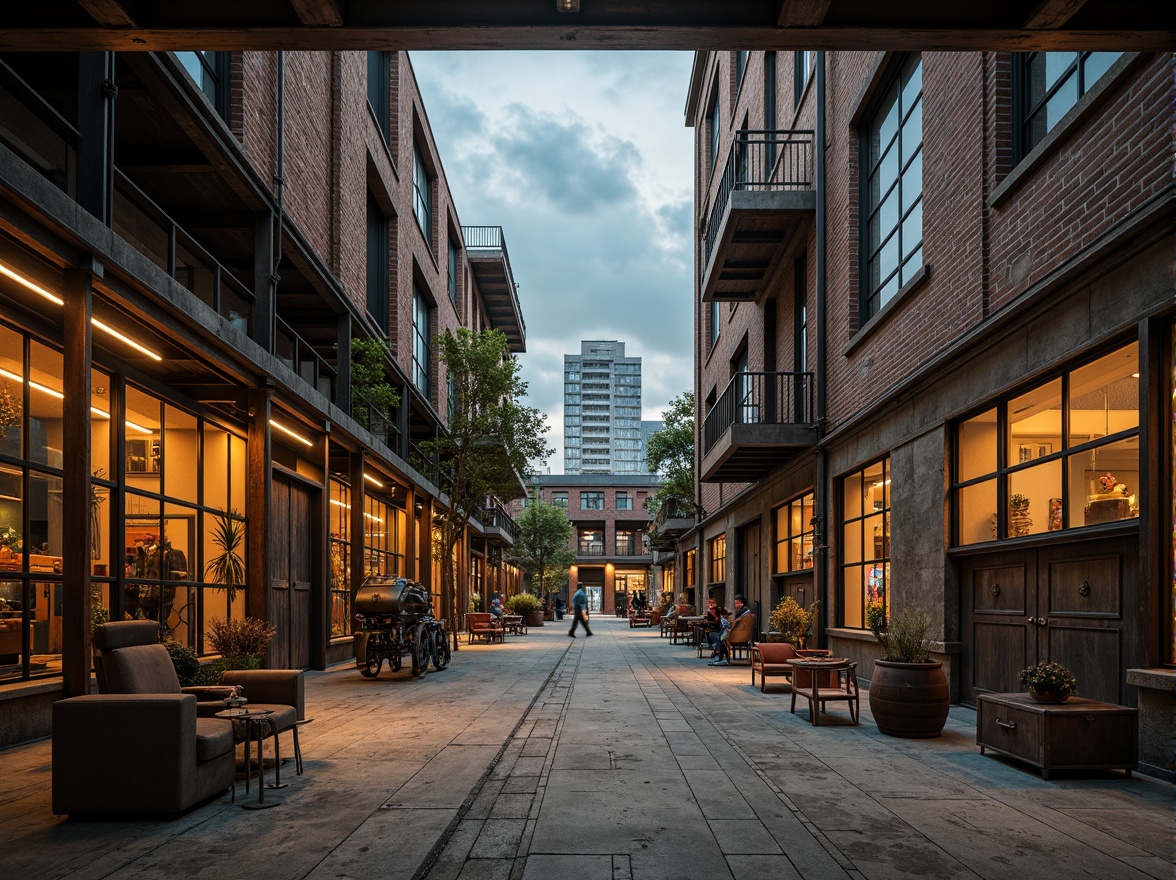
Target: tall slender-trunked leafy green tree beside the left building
490,441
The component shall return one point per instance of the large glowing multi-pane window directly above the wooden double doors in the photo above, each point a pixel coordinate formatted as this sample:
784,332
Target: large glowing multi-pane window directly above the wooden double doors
1064,455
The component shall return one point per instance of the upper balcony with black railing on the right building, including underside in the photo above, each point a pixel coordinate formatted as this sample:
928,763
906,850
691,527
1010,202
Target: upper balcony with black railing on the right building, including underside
764,204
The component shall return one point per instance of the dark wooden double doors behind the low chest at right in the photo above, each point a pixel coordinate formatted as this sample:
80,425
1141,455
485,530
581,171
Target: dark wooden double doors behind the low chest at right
1065,603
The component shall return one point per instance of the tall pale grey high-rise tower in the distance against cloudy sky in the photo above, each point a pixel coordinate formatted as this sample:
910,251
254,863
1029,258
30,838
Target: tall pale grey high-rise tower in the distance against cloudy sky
603,411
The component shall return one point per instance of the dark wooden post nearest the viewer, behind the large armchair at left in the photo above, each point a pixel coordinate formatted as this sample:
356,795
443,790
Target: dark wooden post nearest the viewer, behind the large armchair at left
76,519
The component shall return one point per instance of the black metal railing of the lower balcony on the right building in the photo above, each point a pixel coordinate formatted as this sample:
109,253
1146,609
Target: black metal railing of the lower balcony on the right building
760,399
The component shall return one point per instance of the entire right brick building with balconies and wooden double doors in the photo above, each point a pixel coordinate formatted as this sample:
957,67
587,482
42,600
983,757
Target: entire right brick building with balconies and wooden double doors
934,318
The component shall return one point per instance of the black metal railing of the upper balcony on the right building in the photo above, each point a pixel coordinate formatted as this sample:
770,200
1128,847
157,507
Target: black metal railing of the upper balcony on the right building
765,162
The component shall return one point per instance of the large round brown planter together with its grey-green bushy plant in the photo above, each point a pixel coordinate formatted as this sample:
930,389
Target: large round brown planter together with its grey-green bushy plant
910,695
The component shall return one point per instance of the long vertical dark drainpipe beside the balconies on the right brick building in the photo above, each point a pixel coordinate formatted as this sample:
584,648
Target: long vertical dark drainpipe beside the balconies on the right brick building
821,486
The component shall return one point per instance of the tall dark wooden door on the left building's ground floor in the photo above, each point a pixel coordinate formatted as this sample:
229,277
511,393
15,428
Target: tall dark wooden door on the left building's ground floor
291,574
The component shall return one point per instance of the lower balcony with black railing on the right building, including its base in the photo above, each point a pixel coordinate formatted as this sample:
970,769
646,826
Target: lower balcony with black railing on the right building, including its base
757,425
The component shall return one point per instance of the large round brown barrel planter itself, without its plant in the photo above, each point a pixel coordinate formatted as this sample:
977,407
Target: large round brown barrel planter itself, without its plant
910,699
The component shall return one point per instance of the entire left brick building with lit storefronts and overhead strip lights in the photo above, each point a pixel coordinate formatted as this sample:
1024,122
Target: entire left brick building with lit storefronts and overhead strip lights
232,223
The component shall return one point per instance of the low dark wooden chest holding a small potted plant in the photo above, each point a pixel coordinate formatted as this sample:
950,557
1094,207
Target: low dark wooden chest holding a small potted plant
1077,735
